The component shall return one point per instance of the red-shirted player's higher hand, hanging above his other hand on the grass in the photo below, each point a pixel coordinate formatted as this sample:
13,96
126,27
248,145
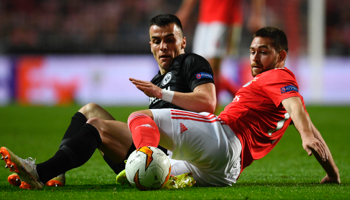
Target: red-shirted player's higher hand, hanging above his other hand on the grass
311,144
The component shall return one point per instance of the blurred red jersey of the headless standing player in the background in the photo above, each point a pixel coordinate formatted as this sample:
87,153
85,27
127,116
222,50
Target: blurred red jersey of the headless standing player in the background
225,11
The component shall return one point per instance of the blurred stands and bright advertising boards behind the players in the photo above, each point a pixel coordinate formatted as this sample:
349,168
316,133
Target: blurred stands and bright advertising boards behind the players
60,52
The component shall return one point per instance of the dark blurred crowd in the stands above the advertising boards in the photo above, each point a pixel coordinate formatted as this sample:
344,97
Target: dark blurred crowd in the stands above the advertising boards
121,26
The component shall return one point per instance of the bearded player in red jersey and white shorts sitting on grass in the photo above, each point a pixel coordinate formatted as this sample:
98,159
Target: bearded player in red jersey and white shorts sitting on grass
248,128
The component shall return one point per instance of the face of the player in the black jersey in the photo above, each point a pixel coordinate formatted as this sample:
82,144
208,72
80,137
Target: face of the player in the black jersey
166,44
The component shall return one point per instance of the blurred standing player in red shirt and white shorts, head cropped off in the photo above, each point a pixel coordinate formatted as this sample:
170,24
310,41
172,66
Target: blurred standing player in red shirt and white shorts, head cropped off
218,32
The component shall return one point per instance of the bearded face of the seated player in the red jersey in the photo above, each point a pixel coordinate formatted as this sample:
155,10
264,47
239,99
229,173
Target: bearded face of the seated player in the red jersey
263,55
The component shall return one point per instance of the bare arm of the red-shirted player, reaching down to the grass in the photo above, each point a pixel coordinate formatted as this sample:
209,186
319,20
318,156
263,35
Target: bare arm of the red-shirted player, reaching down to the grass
312,140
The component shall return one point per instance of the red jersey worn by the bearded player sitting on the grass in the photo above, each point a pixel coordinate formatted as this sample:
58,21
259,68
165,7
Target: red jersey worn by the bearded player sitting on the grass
256,114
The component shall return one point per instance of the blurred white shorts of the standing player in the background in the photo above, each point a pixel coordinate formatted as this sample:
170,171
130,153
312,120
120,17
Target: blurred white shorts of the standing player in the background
216,40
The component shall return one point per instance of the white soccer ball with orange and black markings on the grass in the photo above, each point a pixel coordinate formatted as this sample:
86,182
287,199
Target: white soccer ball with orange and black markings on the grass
148,168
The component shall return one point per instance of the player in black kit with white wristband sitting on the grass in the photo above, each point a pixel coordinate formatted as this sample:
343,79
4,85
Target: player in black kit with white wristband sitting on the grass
184,81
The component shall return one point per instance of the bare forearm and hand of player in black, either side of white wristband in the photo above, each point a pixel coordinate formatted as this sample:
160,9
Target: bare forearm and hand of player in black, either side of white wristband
202,99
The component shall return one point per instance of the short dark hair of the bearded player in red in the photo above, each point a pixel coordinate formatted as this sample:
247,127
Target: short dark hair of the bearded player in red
279,38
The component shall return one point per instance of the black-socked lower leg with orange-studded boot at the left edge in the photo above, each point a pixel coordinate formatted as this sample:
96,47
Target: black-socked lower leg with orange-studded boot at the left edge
72,154
